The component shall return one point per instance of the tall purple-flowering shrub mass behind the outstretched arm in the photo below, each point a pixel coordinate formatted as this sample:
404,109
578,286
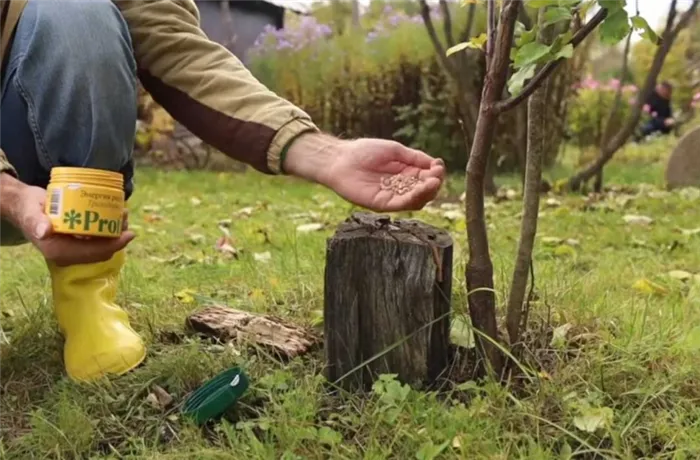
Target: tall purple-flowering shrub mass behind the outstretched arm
385,82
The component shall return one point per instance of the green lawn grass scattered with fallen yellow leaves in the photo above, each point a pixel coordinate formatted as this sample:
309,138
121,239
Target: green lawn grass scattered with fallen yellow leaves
622,383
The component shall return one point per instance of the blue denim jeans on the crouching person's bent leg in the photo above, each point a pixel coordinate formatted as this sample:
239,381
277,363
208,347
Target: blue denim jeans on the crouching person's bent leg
68,94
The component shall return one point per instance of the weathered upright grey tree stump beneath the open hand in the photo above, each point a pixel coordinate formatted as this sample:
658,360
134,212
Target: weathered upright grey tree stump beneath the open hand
385,283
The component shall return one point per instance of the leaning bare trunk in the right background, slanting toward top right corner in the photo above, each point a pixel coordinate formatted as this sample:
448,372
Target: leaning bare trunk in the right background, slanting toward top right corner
610,148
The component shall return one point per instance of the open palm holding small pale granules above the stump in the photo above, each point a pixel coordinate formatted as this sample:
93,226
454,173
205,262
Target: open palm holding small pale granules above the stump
356,174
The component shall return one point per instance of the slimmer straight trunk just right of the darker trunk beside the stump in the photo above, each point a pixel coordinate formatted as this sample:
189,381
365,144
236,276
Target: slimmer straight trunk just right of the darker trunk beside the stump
536,140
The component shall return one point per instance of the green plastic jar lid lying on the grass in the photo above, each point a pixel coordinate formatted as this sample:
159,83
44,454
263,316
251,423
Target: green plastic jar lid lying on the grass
216,396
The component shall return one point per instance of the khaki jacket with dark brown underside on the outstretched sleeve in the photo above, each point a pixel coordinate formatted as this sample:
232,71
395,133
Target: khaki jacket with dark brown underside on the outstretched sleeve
232,112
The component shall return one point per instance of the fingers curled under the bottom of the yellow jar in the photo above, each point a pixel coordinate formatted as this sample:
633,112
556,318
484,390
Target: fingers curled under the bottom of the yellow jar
64,251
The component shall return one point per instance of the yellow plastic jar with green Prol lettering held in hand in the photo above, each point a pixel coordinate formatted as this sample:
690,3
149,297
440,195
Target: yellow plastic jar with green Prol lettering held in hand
87,202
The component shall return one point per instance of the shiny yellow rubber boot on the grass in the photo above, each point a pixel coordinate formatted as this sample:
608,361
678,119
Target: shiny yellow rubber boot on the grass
98,338
